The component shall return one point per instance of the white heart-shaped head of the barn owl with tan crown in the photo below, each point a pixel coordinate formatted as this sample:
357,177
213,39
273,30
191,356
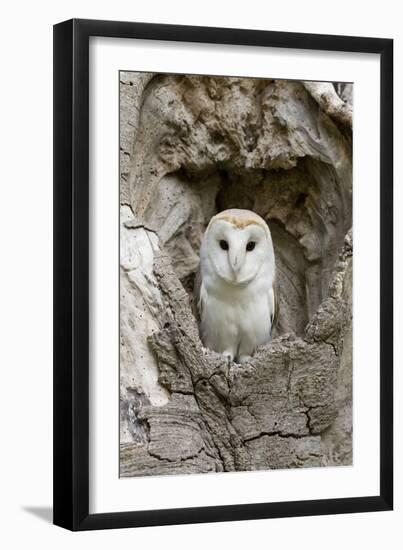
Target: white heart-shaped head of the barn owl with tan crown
236,246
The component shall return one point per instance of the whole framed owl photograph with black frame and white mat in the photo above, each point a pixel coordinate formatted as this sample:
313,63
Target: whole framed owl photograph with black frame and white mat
223,274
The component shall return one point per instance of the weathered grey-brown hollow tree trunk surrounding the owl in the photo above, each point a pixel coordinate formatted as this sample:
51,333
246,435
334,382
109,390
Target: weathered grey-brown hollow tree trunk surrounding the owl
192,146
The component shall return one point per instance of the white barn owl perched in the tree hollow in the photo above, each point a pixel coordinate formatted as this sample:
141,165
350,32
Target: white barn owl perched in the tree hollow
234,288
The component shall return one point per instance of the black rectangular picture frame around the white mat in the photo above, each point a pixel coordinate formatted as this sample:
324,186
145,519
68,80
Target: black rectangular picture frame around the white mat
71,274
